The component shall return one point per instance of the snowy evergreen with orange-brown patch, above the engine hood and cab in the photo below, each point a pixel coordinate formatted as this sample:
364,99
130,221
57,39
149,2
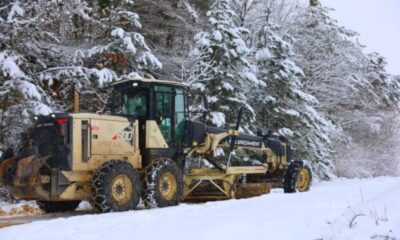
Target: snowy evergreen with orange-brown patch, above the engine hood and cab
100,44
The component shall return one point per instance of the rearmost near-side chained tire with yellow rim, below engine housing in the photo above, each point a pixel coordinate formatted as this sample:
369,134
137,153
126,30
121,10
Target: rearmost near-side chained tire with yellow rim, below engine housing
115,187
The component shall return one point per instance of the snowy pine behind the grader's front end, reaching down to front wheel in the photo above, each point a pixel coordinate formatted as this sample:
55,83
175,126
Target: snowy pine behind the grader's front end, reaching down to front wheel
284,105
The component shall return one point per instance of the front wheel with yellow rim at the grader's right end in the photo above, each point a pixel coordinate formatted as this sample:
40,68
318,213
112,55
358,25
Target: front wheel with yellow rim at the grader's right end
297,177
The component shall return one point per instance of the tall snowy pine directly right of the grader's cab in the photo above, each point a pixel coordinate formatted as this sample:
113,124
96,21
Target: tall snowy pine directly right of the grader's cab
220,69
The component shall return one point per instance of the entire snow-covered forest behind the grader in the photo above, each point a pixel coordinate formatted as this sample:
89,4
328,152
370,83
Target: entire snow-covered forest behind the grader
292,66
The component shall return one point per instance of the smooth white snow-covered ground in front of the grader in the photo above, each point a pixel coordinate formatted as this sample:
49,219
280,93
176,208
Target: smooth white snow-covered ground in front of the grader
341,209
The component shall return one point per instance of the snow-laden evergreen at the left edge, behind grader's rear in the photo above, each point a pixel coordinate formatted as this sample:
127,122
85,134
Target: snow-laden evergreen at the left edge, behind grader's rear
20,92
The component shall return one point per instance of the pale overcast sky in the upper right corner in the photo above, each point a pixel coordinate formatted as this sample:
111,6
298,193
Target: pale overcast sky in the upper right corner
378,23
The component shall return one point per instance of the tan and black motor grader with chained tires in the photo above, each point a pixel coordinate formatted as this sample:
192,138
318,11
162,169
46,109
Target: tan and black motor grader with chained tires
145,148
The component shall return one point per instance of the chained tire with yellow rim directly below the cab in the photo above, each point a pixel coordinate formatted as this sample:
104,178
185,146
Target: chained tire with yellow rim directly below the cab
163,184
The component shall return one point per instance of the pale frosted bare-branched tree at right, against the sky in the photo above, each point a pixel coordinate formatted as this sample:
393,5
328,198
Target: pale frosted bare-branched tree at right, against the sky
353,88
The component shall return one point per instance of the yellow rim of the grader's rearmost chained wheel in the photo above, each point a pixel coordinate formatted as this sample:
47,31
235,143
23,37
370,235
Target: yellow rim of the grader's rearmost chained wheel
121,189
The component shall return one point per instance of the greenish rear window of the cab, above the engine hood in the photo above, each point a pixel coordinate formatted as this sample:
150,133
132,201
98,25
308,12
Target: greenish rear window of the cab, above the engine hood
134,104
